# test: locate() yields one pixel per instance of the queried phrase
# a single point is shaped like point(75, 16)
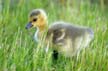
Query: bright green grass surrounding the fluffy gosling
point(18, 52)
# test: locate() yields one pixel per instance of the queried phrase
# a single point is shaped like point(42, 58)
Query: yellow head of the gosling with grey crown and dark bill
point(37, 18)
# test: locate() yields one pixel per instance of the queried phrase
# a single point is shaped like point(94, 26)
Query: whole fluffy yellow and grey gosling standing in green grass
point(66, 38)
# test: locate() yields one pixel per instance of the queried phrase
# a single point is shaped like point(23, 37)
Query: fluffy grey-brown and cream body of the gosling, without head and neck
point(69, 39)
